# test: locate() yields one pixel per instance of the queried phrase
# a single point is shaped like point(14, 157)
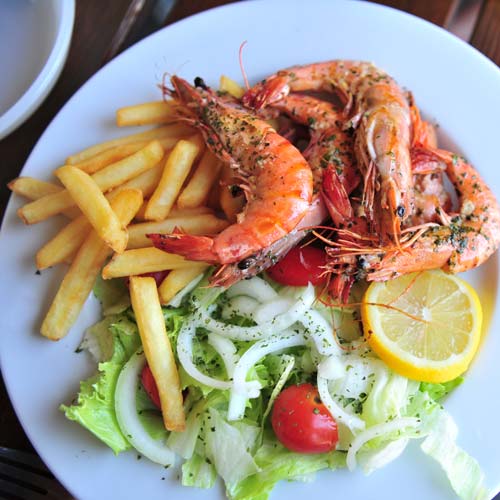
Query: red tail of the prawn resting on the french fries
point(198, 248)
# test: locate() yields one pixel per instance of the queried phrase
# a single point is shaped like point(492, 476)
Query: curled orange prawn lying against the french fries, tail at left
point(274, 175)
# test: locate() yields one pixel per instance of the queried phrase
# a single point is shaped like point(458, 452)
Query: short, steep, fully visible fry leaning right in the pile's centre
point(176, 170)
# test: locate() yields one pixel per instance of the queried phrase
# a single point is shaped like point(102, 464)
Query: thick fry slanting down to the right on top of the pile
point(95, 206)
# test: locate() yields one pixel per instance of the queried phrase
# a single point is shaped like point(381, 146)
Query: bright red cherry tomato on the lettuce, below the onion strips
point(301, 421)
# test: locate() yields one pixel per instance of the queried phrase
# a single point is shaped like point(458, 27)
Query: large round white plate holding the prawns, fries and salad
point(451, 82)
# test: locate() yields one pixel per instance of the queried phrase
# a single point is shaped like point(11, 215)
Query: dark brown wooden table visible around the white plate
point(100, 33)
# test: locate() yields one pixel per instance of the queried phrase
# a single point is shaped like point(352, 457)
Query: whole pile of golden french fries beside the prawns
point(114, 194)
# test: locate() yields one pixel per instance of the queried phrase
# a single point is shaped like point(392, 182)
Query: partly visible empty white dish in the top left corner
point(34, 43)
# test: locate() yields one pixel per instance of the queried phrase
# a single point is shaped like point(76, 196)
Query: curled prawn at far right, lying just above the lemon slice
point(469, 238)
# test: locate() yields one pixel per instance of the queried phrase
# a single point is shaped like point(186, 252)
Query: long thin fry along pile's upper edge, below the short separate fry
point(175, 130)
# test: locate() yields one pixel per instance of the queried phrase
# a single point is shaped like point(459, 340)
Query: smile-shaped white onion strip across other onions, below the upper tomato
point(273, 326)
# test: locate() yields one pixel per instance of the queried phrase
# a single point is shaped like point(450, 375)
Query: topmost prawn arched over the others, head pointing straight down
point(379, 111)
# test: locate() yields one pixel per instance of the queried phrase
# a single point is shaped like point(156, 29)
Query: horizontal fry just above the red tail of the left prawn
point(194, 224)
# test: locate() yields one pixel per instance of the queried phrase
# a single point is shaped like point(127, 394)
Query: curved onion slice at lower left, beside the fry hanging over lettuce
point(128, 420)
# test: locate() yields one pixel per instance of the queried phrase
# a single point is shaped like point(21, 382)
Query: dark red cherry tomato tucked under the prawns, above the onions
point(299, 267)
